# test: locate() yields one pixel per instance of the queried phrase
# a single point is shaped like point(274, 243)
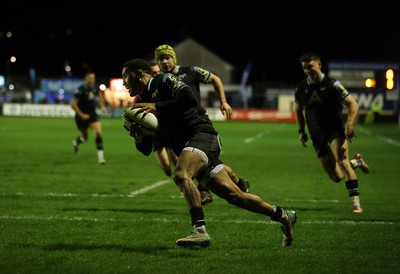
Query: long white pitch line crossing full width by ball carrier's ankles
point(168, 220)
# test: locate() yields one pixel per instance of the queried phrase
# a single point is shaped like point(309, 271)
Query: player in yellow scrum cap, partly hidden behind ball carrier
point(193, 76)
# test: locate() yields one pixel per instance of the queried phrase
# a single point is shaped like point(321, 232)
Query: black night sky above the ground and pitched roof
point(104, 35)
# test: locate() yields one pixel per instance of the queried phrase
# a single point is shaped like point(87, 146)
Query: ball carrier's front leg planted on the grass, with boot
point(189, 163)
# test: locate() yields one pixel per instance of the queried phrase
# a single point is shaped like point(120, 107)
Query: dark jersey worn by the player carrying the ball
point(178, 111)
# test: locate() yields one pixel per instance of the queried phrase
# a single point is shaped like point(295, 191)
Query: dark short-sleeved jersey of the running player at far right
point(322, 103)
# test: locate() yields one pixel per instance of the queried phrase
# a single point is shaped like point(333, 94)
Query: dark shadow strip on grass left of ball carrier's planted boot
point(115, 247)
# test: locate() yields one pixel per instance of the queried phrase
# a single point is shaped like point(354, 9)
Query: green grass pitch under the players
point(65, 213)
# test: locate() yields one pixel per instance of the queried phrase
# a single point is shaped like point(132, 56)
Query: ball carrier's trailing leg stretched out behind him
point(222, 185)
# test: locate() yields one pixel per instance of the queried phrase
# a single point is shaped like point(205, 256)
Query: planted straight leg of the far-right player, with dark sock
point(340, 149)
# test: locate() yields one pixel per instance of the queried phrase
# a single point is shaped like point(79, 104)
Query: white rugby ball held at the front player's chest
point(148, 121)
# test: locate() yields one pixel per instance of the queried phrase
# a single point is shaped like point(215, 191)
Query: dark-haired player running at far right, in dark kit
point(319, 101)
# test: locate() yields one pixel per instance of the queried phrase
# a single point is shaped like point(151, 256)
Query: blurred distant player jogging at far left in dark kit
point(84, 103)
